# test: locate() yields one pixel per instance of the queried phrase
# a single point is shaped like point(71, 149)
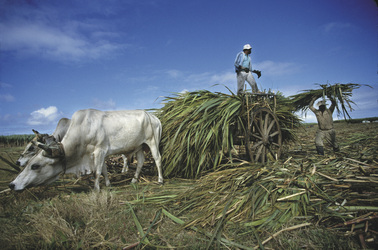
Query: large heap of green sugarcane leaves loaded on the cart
point(199, 129)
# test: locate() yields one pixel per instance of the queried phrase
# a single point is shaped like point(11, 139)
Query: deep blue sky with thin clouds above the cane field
point(58, 57)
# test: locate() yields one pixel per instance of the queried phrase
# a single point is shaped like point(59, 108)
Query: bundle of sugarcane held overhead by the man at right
point(340, 93)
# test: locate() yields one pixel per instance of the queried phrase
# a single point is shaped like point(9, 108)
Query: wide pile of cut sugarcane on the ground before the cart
point(263, 198)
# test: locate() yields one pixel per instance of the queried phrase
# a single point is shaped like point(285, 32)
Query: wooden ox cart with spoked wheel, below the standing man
point(261, 138)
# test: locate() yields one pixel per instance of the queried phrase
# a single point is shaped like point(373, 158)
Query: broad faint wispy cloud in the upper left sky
point(54, 42)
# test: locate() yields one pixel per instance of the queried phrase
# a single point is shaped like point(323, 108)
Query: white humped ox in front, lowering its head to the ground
point(91, 136)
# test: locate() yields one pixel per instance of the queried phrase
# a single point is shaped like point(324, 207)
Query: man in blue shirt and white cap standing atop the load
point(243, 69)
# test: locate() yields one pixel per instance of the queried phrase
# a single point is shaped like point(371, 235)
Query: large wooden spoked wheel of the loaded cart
point(263, 138)
